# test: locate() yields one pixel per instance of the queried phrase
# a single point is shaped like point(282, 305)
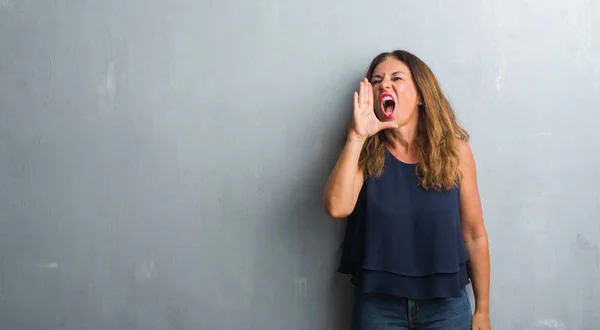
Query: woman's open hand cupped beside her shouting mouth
point(365, 123)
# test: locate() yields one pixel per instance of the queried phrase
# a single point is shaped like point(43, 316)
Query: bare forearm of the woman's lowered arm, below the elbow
point(480, 271)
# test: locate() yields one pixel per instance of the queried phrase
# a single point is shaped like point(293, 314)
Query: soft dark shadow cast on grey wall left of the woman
point(316, 229)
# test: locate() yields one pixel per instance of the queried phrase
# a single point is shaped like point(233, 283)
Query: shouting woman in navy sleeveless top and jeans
point(406, 181)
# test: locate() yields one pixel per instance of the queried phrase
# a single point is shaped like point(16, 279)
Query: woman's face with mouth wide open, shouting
point(395, 95)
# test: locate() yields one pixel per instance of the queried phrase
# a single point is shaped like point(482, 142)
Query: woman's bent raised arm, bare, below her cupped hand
point(345, 181)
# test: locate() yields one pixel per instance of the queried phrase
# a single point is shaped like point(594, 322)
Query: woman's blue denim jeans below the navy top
point(385, 312)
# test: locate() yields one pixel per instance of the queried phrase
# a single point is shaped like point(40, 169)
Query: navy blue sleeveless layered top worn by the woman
point(404, 240)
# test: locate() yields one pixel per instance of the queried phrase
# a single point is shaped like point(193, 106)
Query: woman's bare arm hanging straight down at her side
point(474, 232)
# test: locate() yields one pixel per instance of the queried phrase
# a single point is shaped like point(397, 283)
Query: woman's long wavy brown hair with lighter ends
point(436, 142)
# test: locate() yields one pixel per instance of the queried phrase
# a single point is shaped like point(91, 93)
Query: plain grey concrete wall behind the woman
point(161, 162)
